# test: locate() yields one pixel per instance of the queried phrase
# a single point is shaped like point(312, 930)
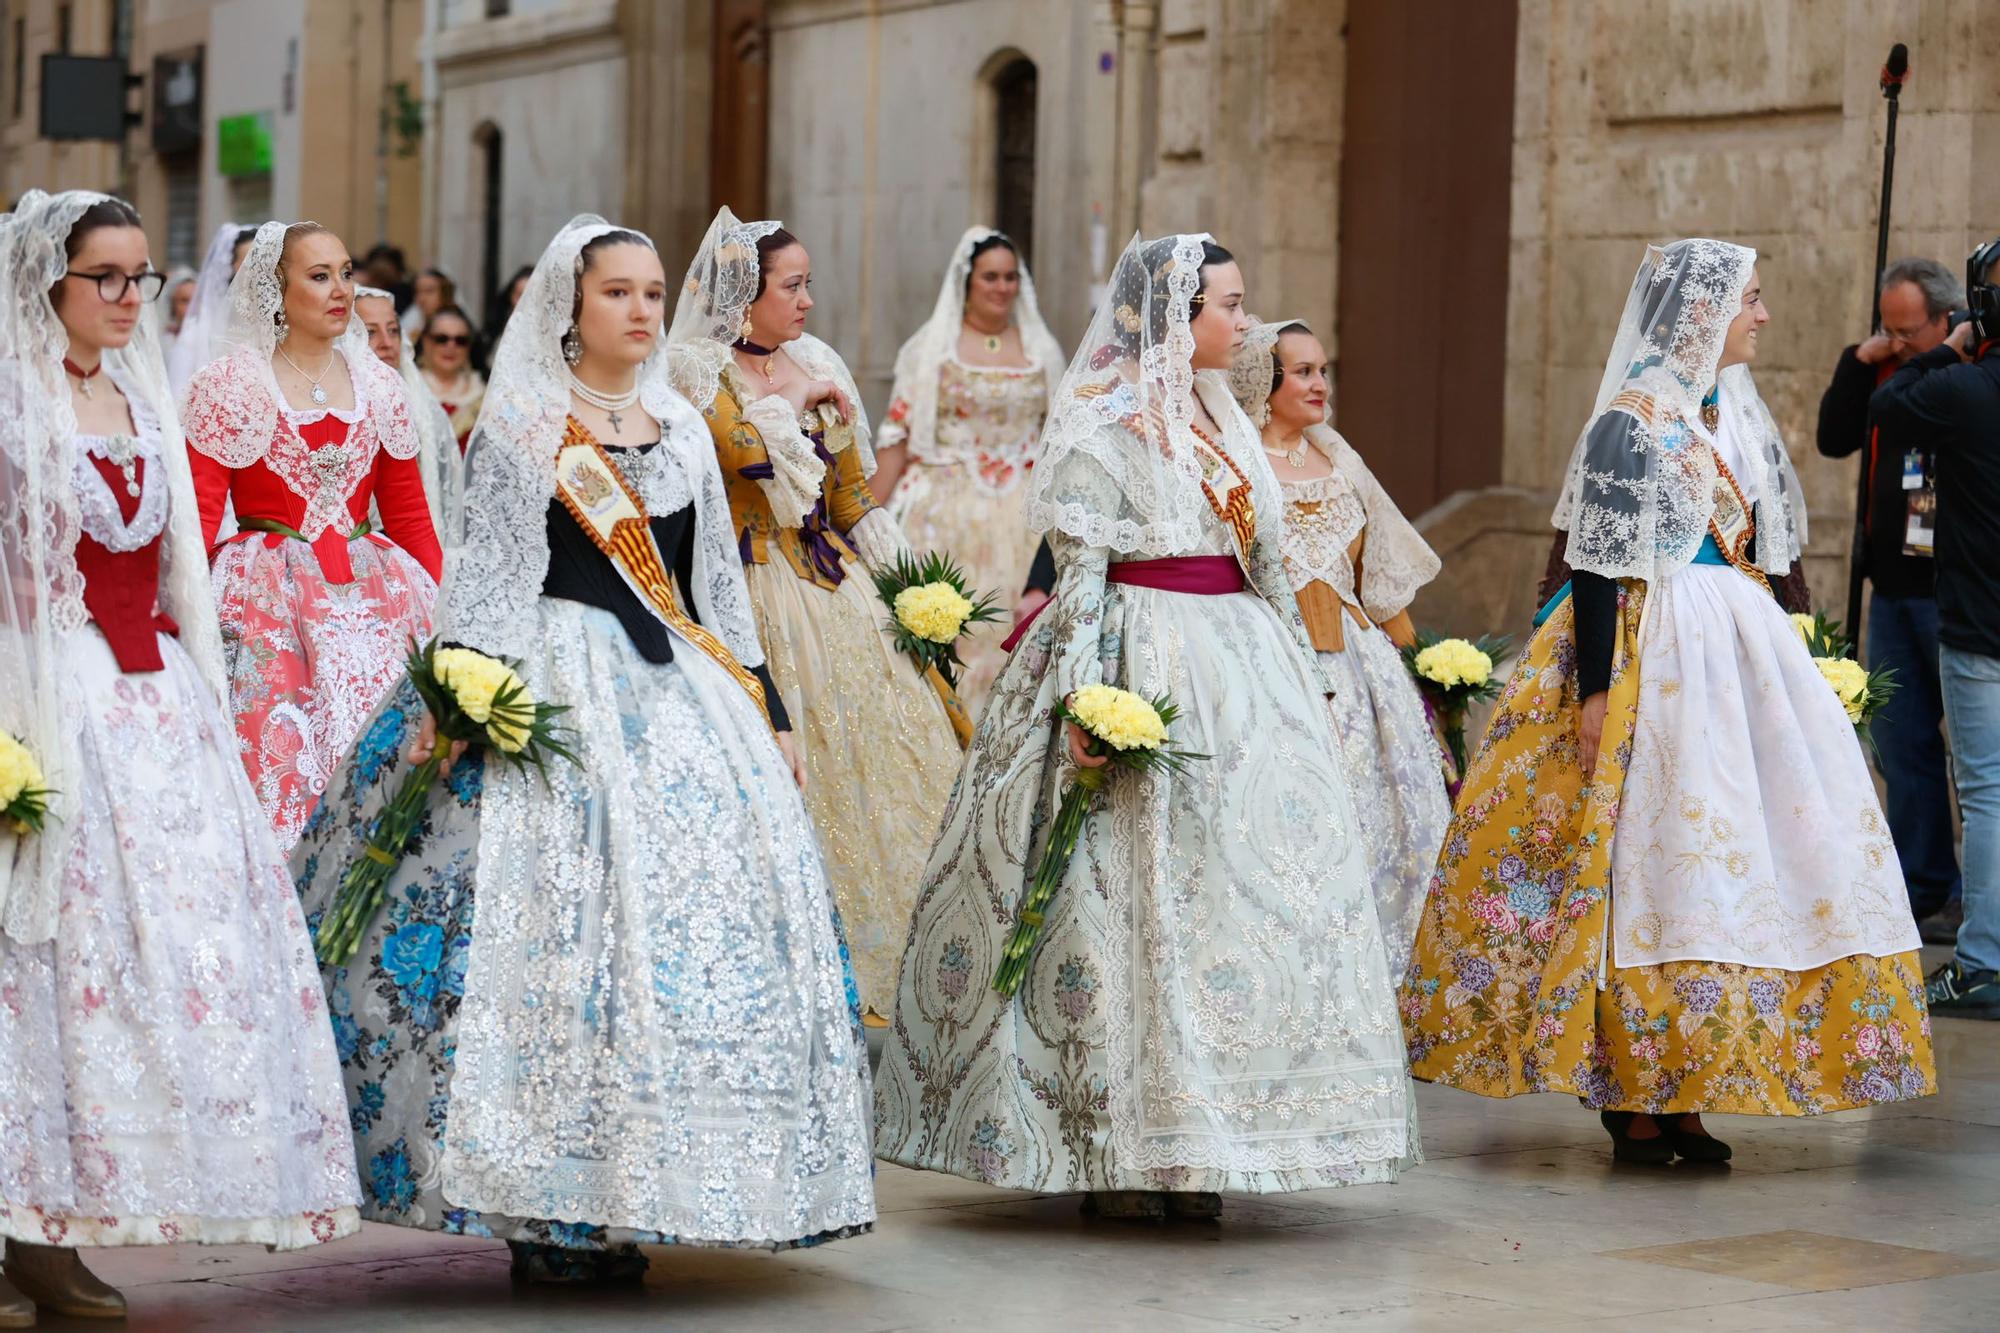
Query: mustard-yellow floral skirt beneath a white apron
point(1511, 988)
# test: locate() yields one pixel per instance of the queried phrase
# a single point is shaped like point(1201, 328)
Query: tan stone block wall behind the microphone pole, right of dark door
point(1755, 121)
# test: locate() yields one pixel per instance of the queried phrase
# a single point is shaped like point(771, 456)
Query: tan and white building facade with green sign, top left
point(245, 111)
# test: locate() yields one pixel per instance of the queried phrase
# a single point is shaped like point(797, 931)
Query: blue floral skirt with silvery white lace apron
point(611, 1008)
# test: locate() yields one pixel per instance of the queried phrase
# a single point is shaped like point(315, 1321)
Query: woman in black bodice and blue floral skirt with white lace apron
point(645, 1032)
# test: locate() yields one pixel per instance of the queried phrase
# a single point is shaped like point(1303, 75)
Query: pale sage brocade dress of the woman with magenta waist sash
point(1211, 1002)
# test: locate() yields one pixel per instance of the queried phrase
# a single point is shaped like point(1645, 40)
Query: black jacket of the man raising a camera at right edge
point(1953, 409)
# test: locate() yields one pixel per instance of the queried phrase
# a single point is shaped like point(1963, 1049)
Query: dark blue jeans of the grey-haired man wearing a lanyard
point(1903, 635)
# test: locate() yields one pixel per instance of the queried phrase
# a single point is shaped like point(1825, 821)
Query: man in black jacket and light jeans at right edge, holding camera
point(1949, 403)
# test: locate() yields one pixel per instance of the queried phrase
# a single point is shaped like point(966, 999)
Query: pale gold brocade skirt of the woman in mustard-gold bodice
point(879, 752)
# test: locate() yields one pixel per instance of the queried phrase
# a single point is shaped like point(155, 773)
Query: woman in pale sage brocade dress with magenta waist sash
point(1209, 1006)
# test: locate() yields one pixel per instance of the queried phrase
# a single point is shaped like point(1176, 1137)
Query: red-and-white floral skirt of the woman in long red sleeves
point(311, 659)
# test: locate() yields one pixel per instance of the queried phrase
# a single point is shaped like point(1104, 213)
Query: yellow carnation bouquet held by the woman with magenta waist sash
point(1133, 734)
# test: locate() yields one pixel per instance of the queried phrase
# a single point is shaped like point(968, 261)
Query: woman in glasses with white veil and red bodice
point(165, 1064)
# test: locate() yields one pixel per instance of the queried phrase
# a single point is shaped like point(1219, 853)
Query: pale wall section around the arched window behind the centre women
point(881, 155)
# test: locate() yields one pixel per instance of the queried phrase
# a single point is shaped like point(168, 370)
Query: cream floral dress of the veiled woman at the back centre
point(963, 493)
